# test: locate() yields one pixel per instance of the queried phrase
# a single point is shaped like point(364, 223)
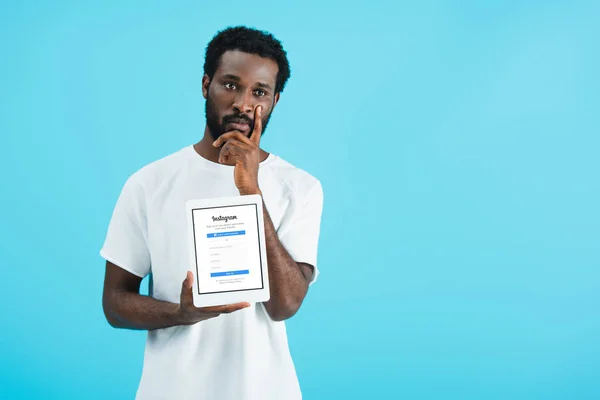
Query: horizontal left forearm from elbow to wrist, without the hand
point(129, 310)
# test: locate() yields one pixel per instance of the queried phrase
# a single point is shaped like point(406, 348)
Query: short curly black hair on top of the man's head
point(248, 40)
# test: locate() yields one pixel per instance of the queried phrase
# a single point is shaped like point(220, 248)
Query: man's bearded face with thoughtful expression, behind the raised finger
point(241, 82)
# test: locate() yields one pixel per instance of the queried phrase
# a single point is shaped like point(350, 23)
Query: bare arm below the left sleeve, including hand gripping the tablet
point(124, 306)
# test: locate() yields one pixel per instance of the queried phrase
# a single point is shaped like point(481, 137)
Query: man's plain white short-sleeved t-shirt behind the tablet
point(243, 355)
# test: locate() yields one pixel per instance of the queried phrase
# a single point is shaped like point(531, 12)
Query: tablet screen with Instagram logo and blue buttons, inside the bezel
point(227, 247)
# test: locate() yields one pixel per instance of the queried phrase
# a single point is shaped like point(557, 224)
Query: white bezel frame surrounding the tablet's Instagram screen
point(243, 295)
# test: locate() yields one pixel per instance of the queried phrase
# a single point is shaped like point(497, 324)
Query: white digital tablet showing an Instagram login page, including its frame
point(228, 250)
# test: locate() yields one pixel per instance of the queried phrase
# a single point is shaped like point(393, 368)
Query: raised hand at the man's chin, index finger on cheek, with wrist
point(244, 153)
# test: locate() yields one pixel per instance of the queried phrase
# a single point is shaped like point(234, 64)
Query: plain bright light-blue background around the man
point(458, 147)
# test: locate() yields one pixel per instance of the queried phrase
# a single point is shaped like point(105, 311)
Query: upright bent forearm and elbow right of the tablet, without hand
point(287, 283)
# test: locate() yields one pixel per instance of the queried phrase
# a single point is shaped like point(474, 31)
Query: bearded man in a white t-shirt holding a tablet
point(235, 351)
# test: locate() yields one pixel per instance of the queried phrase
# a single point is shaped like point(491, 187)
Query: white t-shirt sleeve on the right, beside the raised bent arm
point(299, 234)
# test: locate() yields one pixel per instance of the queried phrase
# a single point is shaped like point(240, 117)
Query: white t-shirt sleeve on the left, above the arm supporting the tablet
point(126, 242)
